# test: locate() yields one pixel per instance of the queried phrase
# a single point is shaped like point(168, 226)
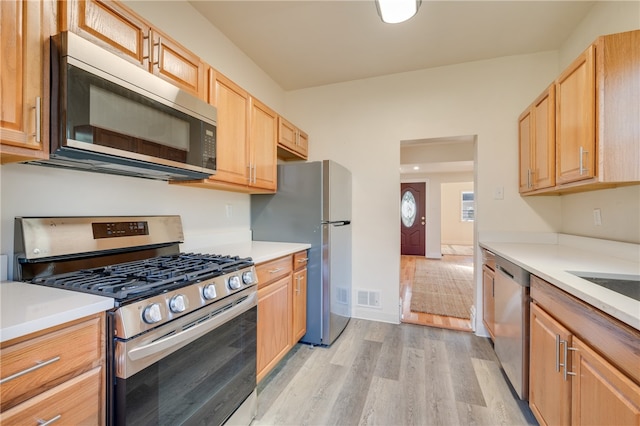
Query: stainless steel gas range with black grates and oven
point(182, 336)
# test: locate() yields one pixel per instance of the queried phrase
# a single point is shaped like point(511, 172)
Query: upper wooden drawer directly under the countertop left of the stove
point(38, 364)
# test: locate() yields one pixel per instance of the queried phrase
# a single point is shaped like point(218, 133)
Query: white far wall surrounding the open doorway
point(360, 124)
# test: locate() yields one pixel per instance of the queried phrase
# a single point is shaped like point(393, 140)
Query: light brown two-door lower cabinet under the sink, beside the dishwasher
point(585, 365)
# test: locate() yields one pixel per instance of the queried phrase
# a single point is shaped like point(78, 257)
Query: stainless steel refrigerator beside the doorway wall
point(313, 205)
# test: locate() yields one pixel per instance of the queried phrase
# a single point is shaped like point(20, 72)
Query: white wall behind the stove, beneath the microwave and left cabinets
point(43, 191)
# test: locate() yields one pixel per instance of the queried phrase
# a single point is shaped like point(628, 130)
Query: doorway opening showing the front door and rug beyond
point(438, 282)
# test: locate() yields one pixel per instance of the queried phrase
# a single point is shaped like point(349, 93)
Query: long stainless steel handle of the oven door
point(176, 341)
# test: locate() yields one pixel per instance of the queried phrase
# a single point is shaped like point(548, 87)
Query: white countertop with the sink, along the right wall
point(552, 262)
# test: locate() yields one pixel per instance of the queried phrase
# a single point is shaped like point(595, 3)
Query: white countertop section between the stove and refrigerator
point(259, 251)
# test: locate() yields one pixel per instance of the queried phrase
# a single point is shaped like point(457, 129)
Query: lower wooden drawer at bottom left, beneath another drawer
point(75, 402)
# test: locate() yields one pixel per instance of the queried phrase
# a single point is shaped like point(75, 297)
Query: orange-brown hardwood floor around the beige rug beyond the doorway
point(407, 269)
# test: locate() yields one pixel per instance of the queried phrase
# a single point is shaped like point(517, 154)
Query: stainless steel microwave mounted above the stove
point(110, 116)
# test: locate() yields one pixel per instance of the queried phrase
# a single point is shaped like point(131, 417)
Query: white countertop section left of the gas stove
point(27, 308)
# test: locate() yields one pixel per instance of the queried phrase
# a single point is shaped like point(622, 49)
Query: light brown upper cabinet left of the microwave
point(25, 28)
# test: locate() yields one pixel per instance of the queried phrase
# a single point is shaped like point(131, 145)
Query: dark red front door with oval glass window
point(412, 218)
